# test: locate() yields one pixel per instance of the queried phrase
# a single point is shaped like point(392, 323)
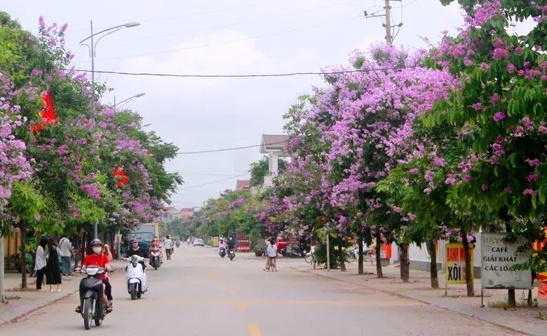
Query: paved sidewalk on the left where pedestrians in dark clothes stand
point(22, 303)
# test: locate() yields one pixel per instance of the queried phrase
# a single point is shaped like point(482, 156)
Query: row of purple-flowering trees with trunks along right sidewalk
point(413, 147)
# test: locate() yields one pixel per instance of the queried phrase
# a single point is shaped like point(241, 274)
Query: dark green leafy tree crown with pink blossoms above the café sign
point(500, 108)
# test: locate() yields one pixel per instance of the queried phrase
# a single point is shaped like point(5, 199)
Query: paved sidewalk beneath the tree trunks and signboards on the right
point(525, 320)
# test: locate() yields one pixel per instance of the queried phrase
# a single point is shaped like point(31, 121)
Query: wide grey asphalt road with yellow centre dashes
point(198, 293)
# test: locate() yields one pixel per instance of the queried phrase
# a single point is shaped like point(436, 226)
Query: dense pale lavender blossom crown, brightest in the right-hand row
point(370, 115)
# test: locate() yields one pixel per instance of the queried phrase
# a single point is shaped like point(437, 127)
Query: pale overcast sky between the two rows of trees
point(224, 37)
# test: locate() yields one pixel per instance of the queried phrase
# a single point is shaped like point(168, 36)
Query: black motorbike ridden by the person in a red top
point(91, 296)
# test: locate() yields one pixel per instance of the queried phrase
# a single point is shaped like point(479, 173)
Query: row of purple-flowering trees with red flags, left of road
point(67, 160)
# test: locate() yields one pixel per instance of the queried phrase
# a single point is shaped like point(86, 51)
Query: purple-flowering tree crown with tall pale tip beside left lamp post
point(89, 143)
